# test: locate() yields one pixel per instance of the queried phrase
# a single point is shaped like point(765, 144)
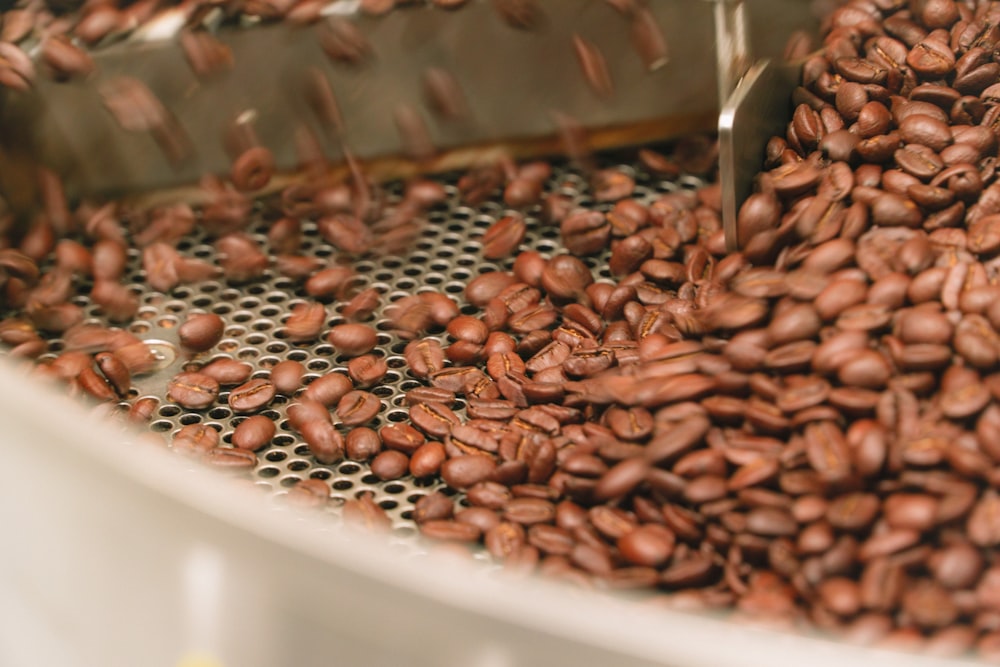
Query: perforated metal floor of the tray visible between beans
point(445, 257)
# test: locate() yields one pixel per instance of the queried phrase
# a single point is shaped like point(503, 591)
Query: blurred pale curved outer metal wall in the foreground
point(118, 554)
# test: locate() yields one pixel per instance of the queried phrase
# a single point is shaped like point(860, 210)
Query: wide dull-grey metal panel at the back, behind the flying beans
point(626, 77)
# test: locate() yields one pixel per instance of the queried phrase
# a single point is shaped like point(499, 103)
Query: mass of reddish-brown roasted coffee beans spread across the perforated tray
point(806, 432)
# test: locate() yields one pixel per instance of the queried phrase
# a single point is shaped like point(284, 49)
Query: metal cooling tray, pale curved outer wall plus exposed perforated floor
point(120, 552)
